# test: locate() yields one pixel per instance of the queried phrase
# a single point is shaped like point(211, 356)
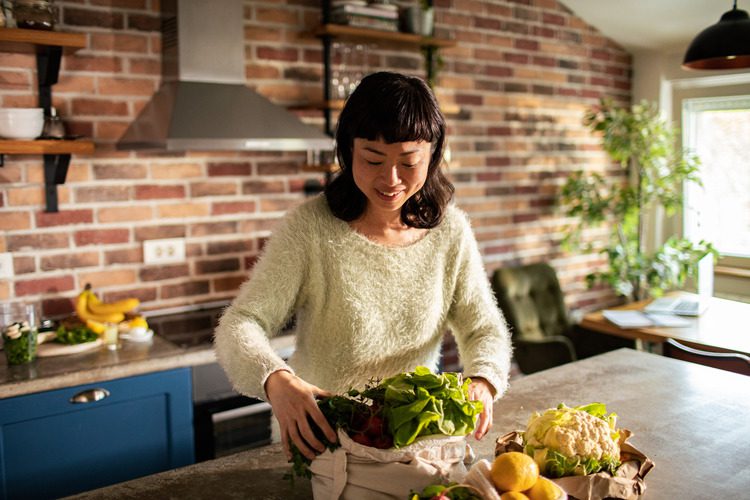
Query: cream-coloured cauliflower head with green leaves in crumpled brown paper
point(573, 441)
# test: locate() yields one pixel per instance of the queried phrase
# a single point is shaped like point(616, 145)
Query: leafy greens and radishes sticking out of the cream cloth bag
point(396, 411)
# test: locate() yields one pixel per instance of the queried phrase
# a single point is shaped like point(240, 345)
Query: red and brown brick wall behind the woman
point(521, 76)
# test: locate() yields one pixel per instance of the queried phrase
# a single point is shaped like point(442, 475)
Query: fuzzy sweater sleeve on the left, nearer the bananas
point(263, 306)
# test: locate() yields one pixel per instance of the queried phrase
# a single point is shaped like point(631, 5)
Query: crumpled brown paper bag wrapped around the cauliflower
point(628, 483)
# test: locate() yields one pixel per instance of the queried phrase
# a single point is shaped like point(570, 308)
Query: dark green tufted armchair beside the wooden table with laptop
point(543, 336)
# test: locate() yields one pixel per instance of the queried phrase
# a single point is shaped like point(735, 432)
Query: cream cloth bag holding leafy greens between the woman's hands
point(358, 472)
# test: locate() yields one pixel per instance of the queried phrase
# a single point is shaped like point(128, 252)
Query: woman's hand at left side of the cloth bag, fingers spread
point(293, 401)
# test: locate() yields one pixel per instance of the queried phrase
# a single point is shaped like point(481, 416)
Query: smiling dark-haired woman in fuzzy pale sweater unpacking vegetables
point(374, 271)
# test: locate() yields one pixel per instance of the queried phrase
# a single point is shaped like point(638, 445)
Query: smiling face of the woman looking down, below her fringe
point(389, 174)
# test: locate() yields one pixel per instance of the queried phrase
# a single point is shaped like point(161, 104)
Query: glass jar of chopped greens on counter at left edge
point(19, 332)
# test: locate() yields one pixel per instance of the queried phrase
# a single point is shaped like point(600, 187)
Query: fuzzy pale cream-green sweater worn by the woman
point(363, 310)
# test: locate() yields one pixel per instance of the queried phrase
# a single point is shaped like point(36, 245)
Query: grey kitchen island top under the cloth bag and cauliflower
point(690, 420)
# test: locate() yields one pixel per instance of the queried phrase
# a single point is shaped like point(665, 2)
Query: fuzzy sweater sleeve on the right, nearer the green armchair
point(478, 326)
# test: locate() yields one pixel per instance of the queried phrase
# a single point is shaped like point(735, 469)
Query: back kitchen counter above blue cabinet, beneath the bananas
point(101, 364)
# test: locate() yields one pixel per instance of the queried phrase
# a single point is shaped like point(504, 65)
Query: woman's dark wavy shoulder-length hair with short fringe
point(393, 108)
